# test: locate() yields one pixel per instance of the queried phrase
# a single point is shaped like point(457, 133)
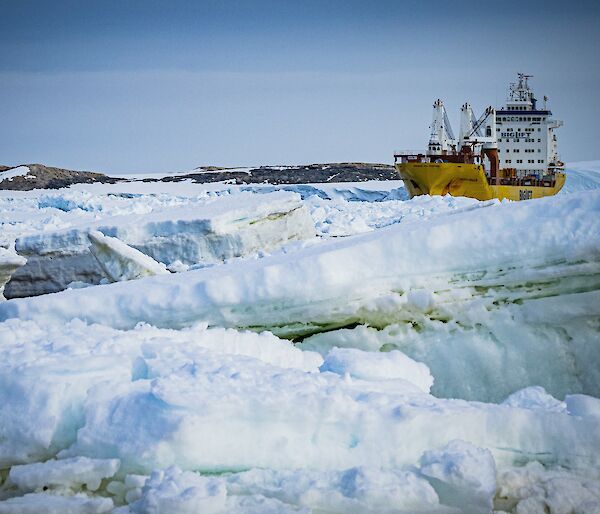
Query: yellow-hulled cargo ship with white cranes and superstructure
point(509, 153)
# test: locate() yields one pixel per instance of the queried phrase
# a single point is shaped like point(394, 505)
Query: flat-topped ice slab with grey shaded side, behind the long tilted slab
point(218, 229)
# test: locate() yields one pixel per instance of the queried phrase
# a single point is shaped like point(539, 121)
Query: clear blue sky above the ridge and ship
point(134, 86)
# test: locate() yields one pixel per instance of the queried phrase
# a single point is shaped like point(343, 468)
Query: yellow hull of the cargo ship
point(432, 178)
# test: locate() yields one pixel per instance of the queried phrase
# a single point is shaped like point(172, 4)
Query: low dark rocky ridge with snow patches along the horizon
point(48, 177)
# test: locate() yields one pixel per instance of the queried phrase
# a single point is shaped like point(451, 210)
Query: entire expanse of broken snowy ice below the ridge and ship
point(326, 348)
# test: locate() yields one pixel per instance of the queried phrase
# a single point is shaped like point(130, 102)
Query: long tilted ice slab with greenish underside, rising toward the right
point(503, 287)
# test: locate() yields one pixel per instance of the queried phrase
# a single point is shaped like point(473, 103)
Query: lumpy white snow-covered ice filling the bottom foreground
point(354, 432)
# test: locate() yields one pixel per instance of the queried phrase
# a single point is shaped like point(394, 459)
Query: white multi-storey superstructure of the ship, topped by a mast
point(526, 138)
